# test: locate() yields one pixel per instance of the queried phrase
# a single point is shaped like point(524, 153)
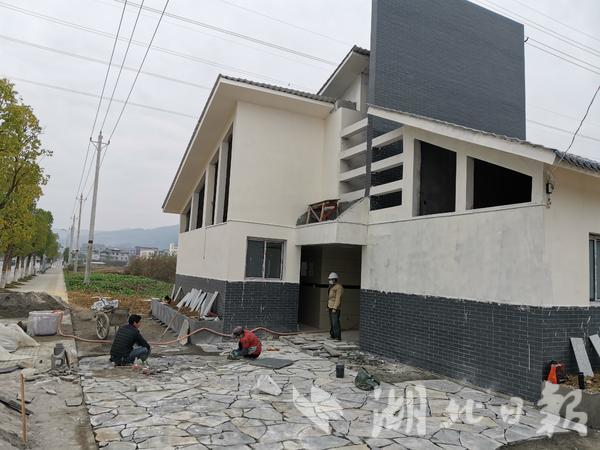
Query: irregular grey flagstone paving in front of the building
point(195, 403)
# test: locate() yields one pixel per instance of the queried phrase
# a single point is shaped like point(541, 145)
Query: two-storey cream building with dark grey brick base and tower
point(463, 248)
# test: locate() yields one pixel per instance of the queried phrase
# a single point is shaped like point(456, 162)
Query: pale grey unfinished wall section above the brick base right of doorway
point(496, 255)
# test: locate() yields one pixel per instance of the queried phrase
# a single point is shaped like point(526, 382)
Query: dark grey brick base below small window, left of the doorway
point(250, 303)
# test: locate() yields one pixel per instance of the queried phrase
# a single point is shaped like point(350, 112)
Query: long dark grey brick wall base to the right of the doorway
point(498, 346)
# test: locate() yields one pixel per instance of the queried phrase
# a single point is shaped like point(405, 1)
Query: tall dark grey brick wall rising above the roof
point(450, 60)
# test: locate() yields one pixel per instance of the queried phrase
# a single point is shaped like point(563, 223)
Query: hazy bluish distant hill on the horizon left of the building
point(154, 237)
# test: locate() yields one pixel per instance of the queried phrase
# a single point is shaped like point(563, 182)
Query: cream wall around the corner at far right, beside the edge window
point(572, 217)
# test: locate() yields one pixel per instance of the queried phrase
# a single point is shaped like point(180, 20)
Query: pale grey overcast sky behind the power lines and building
point(148, 144)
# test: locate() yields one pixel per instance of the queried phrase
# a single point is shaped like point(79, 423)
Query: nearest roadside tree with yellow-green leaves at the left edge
point(21, 177)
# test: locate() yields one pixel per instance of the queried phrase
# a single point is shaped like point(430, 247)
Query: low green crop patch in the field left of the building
point(117, 285)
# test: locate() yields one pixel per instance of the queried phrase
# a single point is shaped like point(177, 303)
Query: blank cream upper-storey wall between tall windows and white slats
point(274, 171)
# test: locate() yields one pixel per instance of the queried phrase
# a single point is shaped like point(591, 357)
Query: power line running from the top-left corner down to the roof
point(143, 44)
